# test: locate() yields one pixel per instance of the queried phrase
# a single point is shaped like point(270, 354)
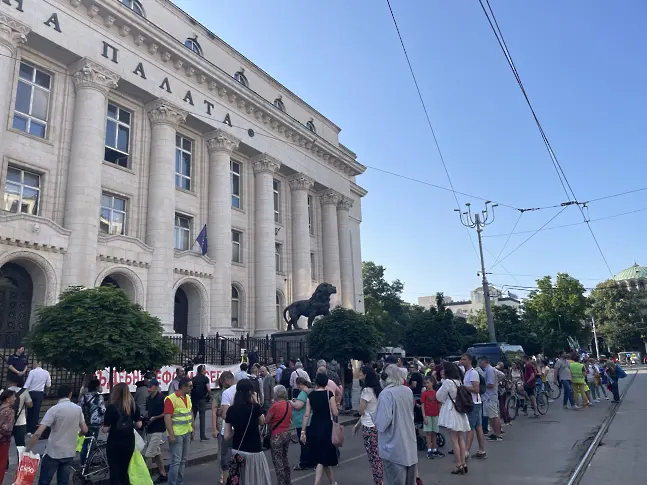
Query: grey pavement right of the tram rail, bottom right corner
point(618, 458)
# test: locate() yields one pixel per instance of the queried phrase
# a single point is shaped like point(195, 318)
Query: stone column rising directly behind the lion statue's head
point(330, 240)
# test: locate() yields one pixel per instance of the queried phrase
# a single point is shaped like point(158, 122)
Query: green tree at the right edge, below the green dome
point(620, 315)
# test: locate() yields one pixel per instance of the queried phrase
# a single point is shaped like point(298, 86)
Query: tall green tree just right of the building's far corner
point(383, 303)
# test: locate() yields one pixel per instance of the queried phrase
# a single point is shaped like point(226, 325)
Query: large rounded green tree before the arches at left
point(98, 328)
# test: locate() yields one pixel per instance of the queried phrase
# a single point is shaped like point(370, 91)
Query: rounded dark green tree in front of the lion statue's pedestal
point(344, 335)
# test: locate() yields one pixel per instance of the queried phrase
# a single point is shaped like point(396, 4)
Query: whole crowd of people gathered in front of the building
point(402, 407)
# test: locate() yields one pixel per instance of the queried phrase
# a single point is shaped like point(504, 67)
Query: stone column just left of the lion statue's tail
point(264, 239)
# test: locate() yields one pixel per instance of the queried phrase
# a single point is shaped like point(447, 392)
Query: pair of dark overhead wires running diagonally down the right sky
point(504, 47)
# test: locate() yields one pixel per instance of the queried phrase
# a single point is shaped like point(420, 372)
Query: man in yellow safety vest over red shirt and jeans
point(178, 417)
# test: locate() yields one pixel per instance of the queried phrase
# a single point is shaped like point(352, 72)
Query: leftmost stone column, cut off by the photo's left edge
point(12, 34)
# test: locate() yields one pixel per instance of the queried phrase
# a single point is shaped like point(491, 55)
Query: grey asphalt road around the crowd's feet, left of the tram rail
point(541, 451)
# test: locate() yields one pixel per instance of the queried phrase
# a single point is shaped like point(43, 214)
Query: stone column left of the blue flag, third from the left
point(165, 118)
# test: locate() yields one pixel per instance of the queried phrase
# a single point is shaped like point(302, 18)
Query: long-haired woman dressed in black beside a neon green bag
point(121, 418)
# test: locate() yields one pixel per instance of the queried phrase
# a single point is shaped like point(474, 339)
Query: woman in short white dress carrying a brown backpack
point(457, 423)
